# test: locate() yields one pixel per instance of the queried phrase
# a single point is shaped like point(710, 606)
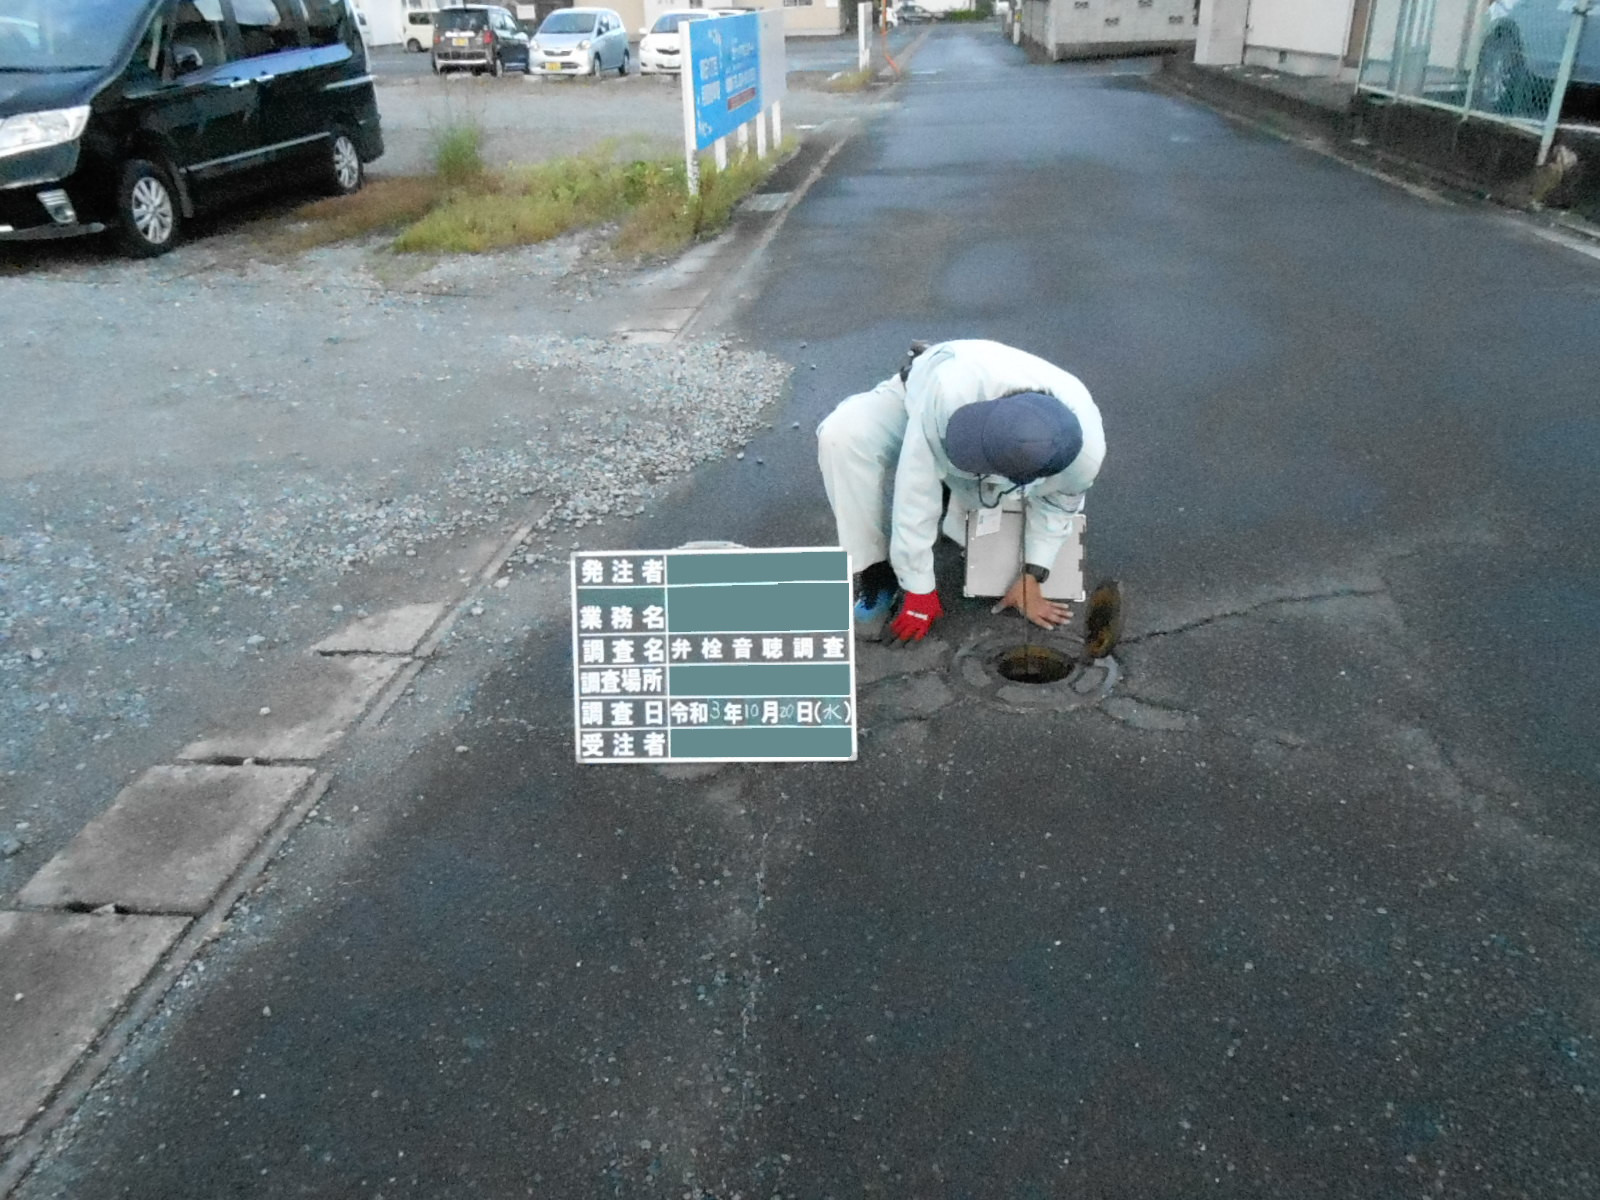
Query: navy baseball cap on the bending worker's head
point(1023, 438)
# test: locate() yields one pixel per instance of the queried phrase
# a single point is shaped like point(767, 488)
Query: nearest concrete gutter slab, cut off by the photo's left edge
point(63, 978)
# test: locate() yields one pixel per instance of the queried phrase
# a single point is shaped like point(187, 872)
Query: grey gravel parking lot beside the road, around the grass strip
point(215, 458)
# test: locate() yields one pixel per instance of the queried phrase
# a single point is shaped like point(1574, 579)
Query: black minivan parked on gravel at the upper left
point(134, 114)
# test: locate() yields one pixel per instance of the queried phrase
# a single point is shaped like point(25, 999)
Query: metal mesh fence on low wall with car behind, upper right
point(1514, 62)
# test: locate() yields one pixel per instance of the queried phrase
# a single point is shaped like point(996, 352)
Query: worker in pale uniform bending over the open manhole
point(985, 420)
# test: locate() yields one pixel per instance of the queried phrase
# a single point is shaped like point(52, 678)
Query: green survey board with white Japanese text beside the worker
point(727, 655)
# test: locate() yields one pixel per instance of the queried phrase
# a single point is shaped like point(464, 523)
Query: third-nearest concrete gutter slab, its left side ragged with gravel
point(321, 703)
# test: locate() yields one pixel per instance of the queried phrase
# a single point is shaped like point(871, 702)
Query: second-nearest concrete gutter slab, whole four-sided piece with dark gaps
point(170, 841)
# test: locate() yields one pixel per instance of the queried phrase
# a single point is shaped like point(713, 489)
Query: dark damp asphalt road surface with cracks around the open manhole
point(1310, 910)
